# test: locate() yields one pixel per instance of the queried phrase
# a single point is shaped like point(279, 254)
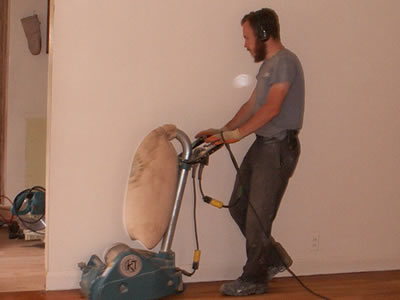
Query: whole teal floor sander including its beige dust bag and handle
point(137, 274)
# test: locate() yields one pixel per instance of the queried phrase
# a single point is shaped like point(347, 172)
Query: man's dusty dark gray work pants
point(264, 175)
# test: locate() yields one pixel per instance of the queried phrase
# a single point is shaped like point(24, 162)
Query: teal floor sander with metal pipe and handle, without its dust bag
point(136, 274)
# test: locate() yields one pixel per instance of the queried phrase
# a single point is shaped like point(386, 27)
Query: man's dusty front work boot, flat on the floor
point(239, 287)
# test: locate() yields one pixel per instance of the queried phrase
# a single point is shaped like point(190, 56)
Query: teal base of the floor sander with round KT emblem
point(132, 274)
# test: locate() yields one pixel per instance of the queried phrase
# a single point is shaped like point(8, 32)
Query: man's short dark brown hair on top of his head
point(264, 22)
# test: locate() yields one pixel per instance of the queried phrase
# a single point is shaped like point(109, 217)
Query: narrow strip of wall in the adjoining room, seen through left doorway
point(26, 94)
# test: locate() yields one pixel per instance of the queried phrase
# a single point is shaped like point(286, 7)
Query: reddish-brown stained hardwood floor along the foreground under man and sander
point(368, 286)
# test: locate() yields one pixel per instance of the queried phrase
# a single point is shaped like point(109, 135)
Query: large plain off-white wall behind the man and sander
point(122, 69)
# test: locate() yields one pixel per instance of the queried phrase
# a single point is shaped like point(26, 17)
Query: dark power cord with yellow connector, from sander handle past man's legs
point(220, 205)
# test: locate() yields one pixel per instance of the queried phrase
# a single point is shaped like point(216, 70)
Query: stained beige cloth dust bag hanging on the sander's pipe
point(152, 187)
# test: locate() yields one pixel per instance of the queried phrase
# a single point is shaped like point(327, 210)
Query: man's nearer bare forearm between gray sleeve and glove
point(268, 111)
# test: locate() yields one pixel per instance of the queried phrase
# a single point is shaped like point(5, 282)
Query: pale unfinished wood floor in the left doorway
point(21, 264)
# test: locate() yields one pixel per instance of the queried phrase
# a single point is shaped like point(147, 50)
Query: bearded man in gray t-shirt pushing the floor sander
point(274, 112)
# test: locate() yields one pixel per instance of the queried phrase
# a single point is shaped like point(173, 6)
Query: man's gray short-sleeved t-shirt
point(284, 66)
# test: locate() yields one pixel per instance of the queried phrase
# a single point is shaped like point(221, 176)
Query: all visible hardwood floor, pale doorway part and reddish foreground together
point(22, 269)
